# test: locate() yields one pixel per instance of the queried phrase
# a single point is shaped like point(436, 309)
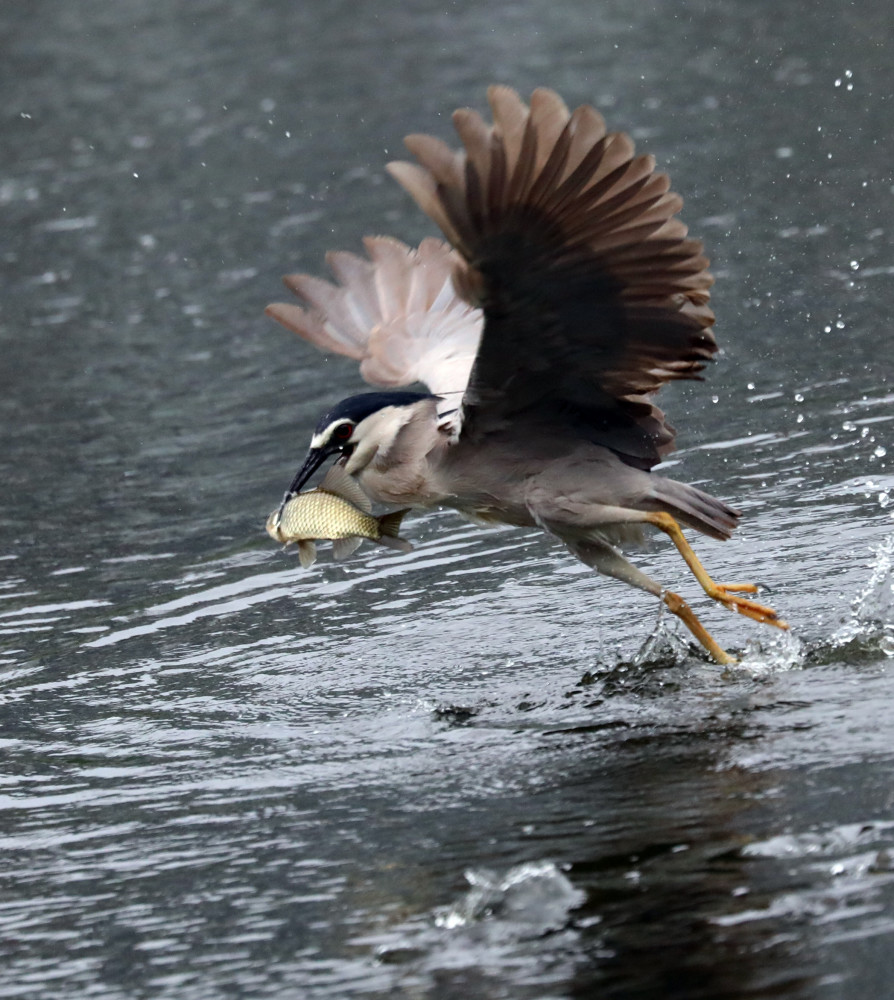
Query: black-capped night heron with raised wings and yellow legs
point(564, 295)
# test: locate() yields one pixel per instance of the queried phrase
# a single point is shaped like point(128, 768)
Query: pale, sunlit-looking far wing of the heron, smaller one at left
point(397, 313)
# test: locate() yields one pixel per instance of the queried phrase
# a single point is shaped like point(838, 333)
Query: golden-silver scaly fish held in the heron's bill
point(337, 510)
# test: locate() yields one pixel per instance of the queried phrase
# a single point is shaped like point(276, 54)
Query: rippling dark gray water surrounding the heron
point(457, 773)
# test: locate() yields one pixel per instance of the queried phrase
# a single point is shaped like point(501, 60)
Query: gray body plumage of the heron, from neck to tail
point(574, 489)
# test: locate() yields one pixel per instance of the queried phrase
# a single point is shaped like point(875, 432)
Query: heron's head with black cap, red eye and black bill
point(357, 428)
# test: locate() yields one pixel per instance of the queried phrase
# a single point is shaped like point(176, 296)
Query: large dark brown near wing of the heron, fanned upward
point(593, 297)
